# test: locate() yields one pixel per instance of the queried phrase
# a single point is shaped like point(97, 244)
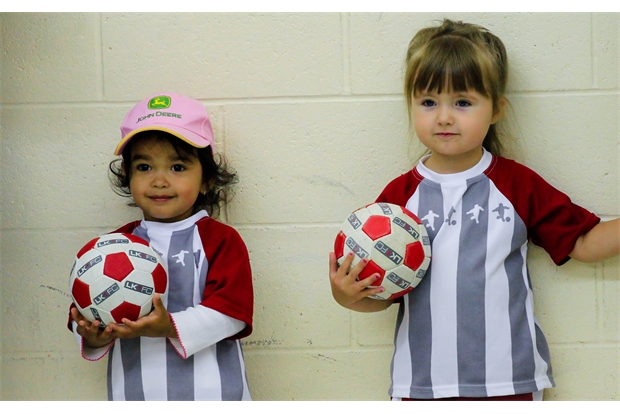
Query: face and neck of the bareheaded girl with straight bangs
point(453, 126)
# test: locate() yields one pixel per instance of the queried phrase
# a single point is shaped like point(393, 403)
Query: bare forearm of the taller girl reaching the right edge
point(600, 243)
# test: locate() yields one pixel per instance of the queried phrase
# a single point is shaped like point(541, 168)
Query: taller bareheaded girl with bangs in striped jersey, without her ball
point(468, 330)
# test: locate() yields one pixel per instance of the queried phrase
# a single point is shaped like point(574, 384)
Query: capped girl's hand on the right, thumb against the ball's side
point(156, 324)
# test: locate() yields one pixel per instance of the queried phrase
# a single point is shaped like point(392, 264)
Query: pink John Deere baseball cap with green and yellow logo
point(183, 117)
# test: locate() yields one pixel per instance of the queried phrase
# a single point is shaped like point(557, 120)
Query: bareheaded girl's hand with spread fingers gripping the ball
point(350, 292)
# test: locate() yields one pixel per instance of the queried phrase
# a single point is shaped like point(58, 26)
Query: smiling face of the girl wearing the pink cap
point(163, 185)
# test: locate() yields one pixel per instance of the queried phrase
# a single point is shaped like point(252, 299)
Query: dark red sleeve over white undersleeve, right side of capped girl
point(228, 287)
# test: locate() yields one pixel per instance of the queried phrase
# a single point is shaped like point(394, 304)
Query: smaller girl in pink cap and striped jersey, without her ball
point(187, 348)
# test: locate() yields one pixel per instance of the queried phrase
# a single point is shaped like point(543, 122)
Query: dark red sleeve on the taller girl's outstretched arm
point(553, 221)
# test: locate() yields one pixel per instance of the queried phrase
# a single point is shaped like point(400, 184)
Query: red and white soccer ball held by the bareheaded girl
point(394, 241)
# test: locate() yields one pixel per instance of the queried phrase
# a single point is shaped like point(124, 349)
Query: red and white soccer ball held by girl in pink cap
point(115, 276)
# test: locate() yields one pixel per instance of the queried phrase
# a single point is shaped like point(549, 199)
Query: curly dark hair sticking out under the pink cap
point(215, 172)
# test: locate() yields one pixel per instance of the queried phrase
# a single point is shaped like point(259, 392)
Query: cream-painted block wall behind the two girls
point(308, 108)
